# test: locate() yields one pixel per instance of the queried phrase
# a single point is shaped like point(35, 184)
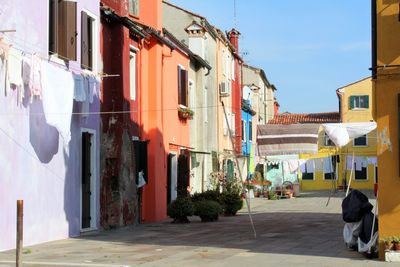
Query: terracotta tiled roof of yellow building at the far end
point(290, 118)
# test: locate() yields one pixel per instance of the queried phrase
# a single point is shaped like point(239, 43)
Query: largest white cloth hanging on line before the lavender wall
point(57, 96)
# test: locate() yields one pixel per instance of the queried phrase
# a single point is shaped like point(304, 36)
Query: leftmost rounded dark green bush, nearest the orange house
point(180, 209)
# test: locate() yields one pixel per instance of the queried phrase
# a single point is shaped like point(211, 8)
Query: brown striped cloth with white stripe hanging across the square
point(274, 139)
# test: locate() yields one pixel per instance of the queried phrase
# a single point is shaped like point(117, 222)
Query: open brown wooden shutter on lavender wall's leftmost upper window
point(67, 29)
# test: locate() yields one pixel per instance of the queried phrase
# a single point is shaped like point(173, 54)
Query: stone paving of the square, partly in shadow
point(290, 232)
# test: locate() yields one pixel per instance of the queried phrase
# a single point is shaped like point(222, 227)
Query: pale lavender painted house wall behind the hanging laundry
point(34, 164)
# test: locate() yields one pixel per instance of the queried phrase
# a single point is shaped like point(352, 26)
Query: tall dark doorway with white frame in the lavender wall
point(88, 185)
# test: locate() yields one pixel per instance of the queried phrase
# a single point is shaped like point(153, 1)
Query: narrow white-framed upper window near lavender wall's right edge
point(87, 40)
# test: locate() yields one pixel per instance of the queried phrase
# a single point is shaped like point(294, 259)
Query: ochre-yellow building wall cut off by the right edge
point(386, 78)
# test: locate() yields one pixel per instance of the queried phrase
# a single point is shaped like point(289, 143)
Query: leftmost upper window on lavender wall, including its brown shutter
point(62, 29)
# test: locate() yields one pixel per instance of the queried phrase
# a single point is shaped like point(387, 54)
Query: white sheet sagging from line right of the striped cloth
point(342, 133)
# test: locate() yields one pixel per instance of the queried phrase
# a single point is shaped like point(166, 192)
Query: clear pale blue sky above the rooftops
point(307, 48)
